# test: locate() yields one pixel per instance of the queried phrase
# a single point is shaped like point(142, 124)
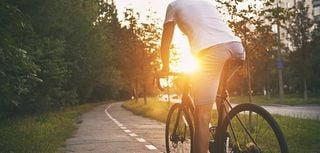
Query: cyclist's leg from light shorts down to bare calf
point(205, 86)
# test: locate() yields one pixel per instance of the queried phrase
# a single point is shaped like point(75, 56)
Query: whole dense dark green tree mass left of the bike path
point(57, 53)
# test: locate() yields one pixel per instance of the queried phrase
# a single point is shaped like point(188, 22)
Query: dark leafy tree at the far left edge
point(18, 70)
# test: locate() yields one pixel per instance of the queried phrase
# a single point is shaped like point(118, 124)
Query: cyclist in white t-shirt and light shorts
point(212, 42)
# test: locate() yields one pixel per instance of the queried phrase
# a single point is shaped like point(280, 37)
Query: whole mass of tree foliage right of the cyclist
point(253, 22)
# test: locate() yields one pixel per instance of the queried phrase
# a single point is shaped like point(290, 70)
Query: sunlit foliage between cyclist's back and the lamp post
point(252, 22)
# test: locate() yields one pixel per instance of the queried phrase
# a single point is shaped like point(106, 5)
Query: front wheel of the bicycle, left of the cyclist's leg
point(182, 136)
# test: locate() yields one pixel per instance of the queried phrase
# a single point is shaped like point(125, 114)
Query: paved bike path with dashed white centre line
point(109, 128)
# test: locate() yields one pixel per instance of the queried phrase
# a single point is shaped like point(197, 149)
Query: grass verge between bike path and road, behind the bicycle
point(302, 135)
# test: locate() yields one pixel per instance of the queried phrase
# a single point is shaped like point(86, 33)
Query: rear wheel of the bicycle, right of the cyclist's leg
point(268, 142)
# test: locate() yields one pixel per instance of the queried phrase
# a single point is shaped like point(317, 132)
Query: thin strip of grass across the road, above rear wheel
point(288, 100)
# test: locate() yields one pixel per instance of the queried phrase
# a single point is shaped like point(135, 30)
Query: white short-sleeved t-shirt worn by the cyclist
point(201, 22)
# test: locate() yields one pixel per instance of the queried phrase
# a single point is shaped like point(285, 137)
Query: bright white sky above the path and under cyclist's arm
point(187, 62)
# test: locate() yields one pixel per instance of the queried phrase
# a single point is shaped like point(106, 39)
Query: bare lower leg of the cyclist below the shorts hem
point(201, 136)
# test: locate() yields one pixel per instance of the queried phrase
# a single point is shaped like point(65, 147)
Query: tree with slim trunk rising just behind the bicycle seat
point(252, 22)
